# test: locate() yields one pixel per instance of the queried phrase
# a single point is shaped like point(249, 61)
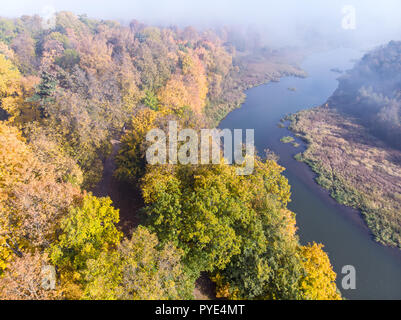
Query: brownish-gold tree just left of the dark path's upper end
point(81, 131)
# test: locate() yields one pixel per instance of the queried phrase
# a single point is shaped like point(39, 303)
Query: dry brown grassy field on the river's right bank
point(358, 169)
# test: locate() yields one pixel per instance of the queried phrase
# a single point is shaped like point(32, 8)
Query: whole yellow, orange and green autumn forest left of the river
point(65, 93)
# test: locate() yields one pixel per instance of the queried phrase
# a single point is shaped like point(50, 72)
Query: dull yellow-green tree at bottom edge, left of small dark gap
point(138, 270)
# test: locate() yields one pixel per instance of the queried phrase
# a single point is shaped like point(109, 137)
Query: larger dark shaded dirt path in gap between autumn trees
point(124, 197)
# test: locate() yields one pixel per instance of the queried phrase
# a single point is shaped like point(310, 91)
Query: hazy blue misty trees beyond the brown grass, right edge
point(371, 91)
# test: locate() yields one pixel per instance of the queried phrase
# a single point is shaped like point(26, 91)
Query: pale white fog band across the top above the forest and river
point(280, 22)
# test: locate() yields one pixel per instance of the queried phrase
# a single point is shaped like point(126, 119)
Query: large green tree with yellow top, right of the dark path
point(192, 214)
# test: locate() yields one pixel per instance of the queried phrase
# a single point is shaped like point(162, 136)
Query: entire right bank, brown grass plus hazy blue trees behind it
point(353, 141)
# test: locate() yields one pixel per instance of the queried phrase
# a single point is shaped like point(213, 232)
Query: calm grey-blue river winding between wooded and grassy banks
point(319, 218)
